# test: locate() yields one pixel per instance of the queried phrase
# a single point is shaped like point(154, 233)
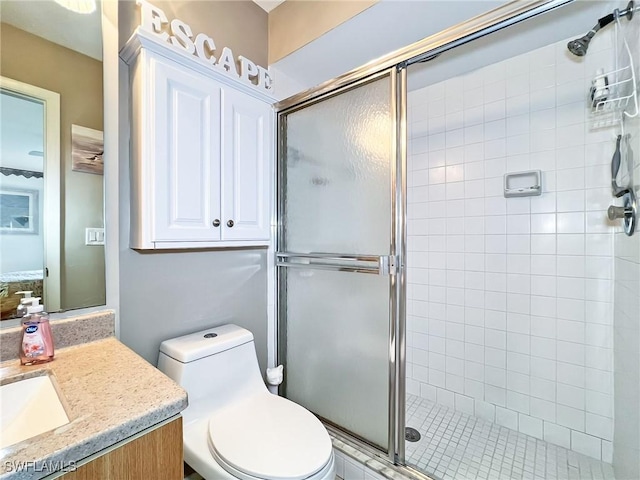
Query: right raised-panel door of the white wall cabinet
point(246, 167)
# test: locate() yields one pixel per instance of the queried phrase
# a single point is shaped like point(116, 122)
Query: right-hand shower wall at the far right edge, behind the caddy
point(626, 440)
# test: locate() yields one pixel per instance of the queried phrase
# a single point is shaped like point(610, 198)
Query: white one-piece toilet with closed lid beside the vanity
point(234, 428)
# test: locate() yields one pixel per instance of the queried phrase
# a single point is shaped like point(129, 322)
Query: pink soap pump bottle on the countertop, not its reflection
point(37, 340)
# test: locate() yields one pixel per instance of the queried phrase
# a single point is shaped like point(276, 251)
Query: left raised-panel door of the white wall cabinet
point(187, 154)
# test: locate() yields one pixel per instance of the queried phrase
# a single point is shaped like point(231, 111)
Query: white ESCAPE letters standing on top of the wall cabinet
point(179, 34)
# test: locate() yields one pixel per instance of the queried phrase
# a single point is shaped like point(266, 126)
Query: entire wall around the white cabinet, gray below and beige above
point(167, 294)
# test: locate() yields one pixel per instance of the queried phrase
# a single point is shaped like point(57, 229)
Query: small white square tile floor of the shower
point(457, 446)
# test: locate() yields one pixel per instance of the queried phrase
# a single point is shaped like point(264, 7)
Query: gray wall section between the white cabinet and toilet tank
point(163, 295)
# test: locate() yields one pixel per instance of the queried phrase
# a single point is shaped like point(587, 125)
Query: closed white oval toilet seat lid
point(269, 437)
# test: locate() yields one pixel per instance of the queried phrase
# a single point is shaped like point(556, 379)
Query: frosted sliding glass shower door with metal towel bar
point(336, 256)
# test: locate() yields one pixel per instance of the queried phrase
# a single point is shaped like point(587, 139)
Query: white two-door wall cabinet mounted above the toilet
point(202, 154)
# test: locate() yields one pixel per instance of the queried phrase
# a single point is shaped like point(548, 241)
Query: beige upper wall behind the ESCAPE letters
point(240, 25)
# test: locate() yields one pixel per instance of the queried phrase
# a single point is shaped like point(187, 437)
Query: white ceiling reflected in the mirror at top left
point(47, 19)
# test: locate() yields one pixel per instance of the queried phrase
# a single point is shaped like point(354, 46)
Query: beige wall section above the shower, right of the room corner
point(293, 24)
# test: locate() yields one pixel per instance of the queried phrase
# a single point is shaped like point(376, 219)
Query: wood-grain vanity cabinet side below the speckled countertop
point(156, 454)
